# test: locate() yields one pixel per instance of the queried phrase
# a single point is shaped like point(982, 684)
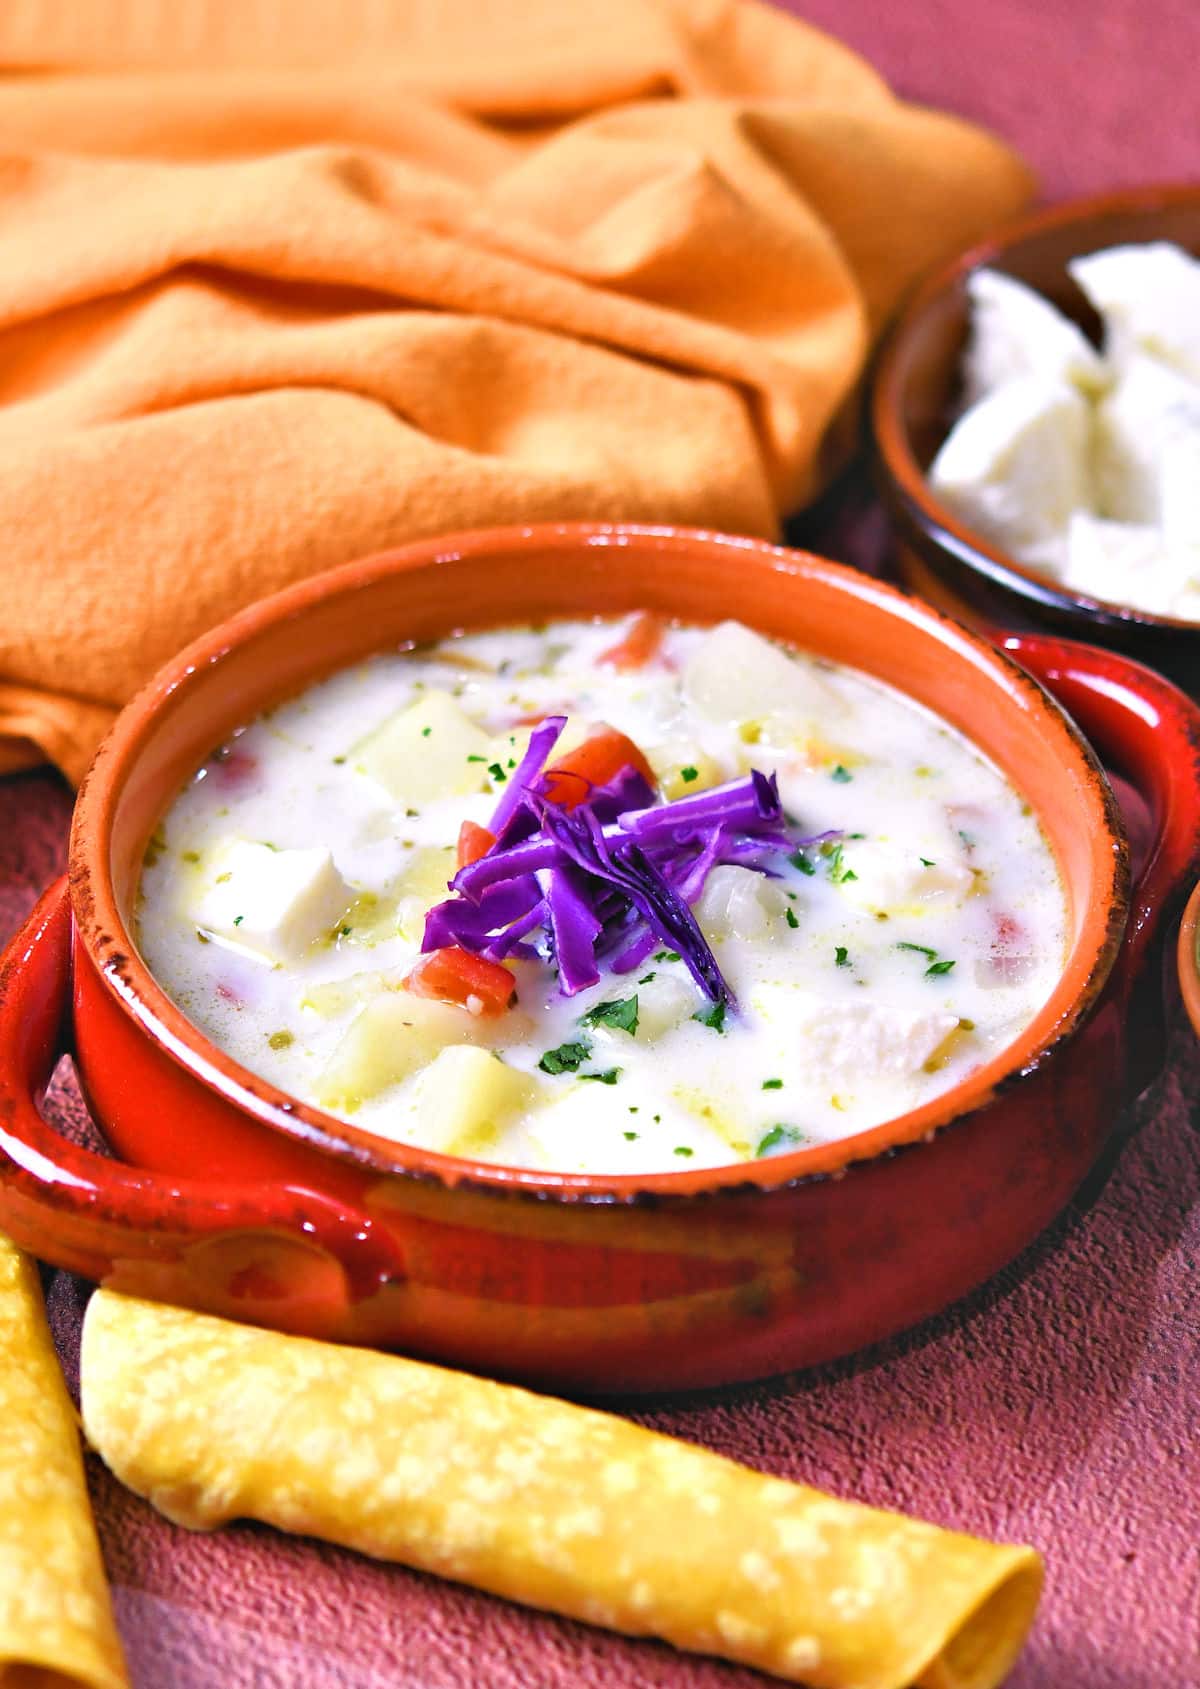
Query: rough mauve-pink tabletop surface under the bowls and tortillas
point(1057, 1406)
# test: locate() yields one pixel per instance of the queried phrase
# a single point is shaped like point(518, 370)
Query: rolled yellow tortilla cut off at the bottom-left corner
point(57, 1622)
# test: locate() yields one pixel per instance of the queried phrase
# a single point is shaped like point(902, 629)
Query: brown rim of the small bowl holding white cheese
point(893, 450)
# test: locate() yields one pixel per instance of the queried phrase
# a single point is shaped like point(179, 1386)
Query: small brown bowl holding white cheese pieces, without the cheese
point(914, 398)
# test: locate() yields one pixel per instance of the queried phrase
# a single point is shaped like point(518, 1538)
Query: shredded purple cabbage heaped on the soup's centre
point(609, 881)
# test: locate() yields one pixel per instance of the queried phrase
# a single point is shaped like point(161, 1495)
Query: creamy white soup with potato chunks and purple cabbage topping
point(822, 910)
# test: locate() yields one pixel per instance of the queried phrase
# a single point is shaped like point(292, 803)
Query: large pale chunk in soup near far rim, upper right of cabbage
point(736, 676)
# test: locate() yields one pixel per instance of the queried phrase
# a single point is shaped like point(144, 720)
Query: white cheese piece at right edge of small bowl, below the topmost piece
point(1154, 411)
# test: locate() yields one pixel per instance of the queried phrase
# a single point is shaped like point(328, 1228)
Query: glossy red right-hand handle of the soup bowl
point(1148, 732)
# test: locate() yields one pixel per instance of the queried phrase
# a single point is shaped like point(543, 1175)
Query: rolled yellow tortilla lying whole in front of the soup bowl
point(548, 1504)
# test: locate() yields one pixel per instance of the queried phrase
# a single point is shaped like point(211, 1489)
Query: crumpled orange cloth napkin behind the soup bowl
point(292, 281)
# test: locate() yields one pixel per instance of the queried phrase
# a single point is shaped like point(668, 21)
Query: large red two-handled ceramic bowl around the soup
point(236, 1198)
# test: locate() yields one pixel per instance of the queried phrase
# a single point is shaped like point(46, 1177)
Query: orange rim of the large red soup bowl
point(114, 950)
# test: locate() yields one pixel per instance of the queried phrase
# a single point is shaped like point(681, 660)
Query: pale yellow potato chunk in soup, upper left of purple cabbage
point(425, 752)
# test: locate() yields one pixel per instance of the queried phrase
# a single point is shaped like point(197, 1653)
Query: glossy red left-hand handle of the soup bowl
point(259, 1252)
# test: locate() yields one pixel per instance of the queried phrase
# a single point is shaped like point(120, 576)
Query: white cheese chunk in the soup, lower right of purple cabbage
point(853, 1043)
